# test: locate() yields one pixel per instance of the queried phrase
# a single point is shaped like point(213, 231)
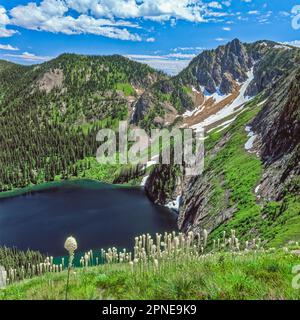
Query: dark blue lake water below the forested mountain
point(98, 215)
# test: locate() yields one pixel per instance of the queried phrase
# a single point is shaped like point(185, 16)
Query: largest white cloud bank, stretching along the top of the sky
point(108, 18)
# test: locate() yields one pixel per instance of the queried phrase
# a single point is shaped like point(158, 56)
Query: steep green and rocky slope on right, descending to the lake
point(276, 146)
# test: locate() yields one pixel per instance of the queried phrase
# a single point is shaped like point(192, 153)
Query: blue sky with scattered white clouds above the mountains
point(164, 33)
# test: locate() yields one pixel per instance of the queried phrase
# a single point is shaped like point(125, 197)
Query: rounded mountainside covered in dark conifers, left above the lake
point(50, 113)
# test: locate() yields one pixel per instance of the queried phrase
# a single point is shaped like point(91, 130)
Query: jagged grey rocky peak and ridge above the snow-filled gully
point(220, 71)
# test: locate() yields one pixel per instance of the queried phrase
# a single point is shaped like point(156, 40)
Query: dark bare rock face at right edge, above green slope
point(278, 128)
